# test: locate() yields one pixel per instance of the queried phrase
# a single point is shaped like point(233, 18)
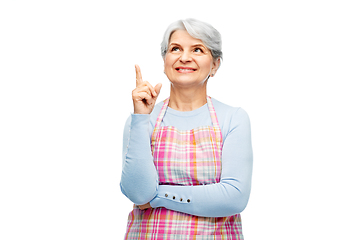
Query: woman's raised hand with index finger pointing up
point(144, 95)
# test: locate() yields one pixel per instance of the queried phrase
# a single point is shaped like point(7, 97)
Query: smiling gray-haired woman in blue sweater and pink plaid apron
point(187, 161)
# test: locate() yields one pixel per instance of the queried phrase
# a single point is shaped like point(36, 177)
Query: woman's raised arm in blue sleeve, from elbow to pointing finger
point(139, 178)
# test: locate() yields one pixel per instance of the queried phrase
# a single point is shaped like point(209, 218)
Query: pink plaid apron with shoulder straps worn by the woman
point(184, 157)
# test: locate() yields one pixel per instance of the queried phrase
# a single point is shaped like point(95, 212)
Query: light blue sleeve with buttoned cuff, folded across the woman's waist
point(231, 194)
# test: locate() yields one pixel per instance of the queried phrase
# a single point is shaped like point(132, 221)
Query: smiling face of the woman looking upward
point(188, 62)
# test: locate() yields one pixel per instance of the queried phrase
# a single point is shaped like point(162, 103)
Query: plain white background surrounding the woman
point(67, 72)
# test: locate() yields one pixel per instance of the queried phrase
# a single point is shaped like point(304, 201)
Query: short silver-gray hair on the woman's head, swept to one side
point(197, 29)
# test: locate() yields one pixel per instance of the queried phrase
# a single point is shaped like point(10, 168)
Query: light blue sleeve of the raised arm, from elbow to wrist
point(139, 178)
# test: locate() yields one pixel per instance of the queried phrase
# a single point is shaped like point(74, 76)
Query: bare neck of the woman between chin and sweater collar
point(187, 99)
